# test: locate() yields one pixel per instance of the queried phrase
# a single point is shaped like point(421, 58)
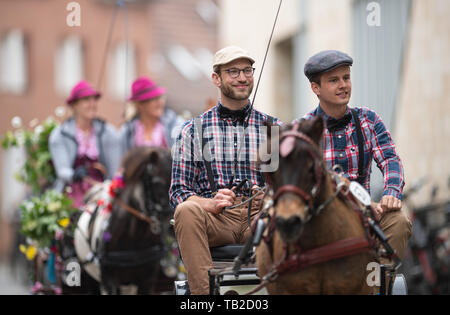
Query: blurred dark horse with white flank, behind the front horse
point(124, 235)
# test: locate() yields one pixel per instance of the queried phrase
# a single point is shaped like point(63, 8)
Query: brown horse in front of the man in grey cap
point(315, 242)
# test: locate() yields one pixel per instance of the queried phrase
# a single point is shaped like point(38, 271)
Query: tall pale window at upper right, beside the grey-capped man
point(378, 54)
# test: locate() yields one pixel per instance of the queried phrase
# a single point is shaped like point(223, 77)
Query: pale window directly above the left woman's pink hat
point(68, 65)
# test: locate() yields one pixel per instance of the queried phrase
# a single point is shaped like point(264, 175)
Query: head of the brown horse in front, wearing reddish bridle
point(297, 182)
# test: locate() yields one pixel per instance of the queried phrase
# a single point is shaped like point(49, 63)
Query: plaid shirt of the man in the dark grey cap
point(341, 147)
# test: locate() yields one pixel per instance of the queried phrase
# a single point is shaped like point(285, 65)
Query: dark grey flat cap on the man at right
point(326, 61)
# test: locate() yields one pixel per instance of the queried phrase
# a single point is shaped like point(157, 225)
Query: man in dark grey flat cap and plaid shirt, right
point(355, 136)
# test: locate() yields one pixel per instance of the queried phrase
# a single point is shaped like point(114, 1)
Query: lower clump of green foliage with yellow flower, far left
point(42, 216)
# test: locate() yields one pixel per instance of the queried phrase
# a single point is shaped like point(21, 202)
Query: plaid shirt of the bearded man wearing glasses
point(223, 137)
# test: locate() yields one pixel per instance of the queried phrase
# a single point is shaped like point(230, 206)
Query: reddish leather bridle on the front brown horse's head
point(287, 144)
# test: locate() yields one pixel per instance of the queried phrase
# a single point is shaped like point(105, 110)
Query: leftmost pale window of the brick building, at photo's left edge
point(13, 63)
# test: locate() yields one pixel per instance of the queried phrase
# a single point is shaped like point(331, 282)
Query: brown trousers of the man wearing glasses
point(197, 230)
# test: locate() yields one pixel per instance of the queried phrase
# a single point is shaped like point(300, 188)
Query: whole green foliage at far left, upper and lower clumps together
point(47, 210)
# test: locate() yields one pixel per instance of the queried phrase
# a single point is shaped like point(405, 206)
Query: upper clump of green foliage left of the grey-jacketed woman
point(38, 171)
